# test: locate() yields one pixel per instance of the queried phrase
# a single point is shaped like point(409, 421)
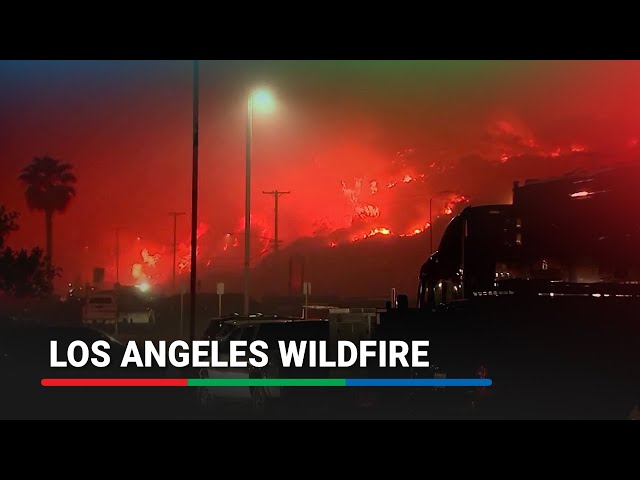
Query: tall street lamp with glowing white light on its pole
point(263, 101)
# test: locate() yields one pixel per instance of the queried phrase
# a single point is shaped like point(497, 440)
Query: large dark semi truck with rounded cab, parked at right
point(558, 235)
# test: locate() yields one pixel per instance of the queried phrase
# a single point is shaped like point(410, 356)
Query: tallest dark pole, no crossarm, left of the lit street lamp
point(194, 202)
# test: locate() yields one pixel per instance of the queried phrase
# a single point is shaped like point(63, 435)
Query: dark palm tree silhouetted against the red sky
point(49, 188)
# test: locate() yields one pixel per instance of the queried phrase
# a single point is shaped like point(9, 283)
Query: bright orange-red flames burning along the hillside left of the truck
point(366, 216)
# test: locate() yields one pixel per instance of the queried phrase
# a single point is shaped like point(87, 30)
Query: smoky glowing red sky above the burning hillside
point(467, 128)
